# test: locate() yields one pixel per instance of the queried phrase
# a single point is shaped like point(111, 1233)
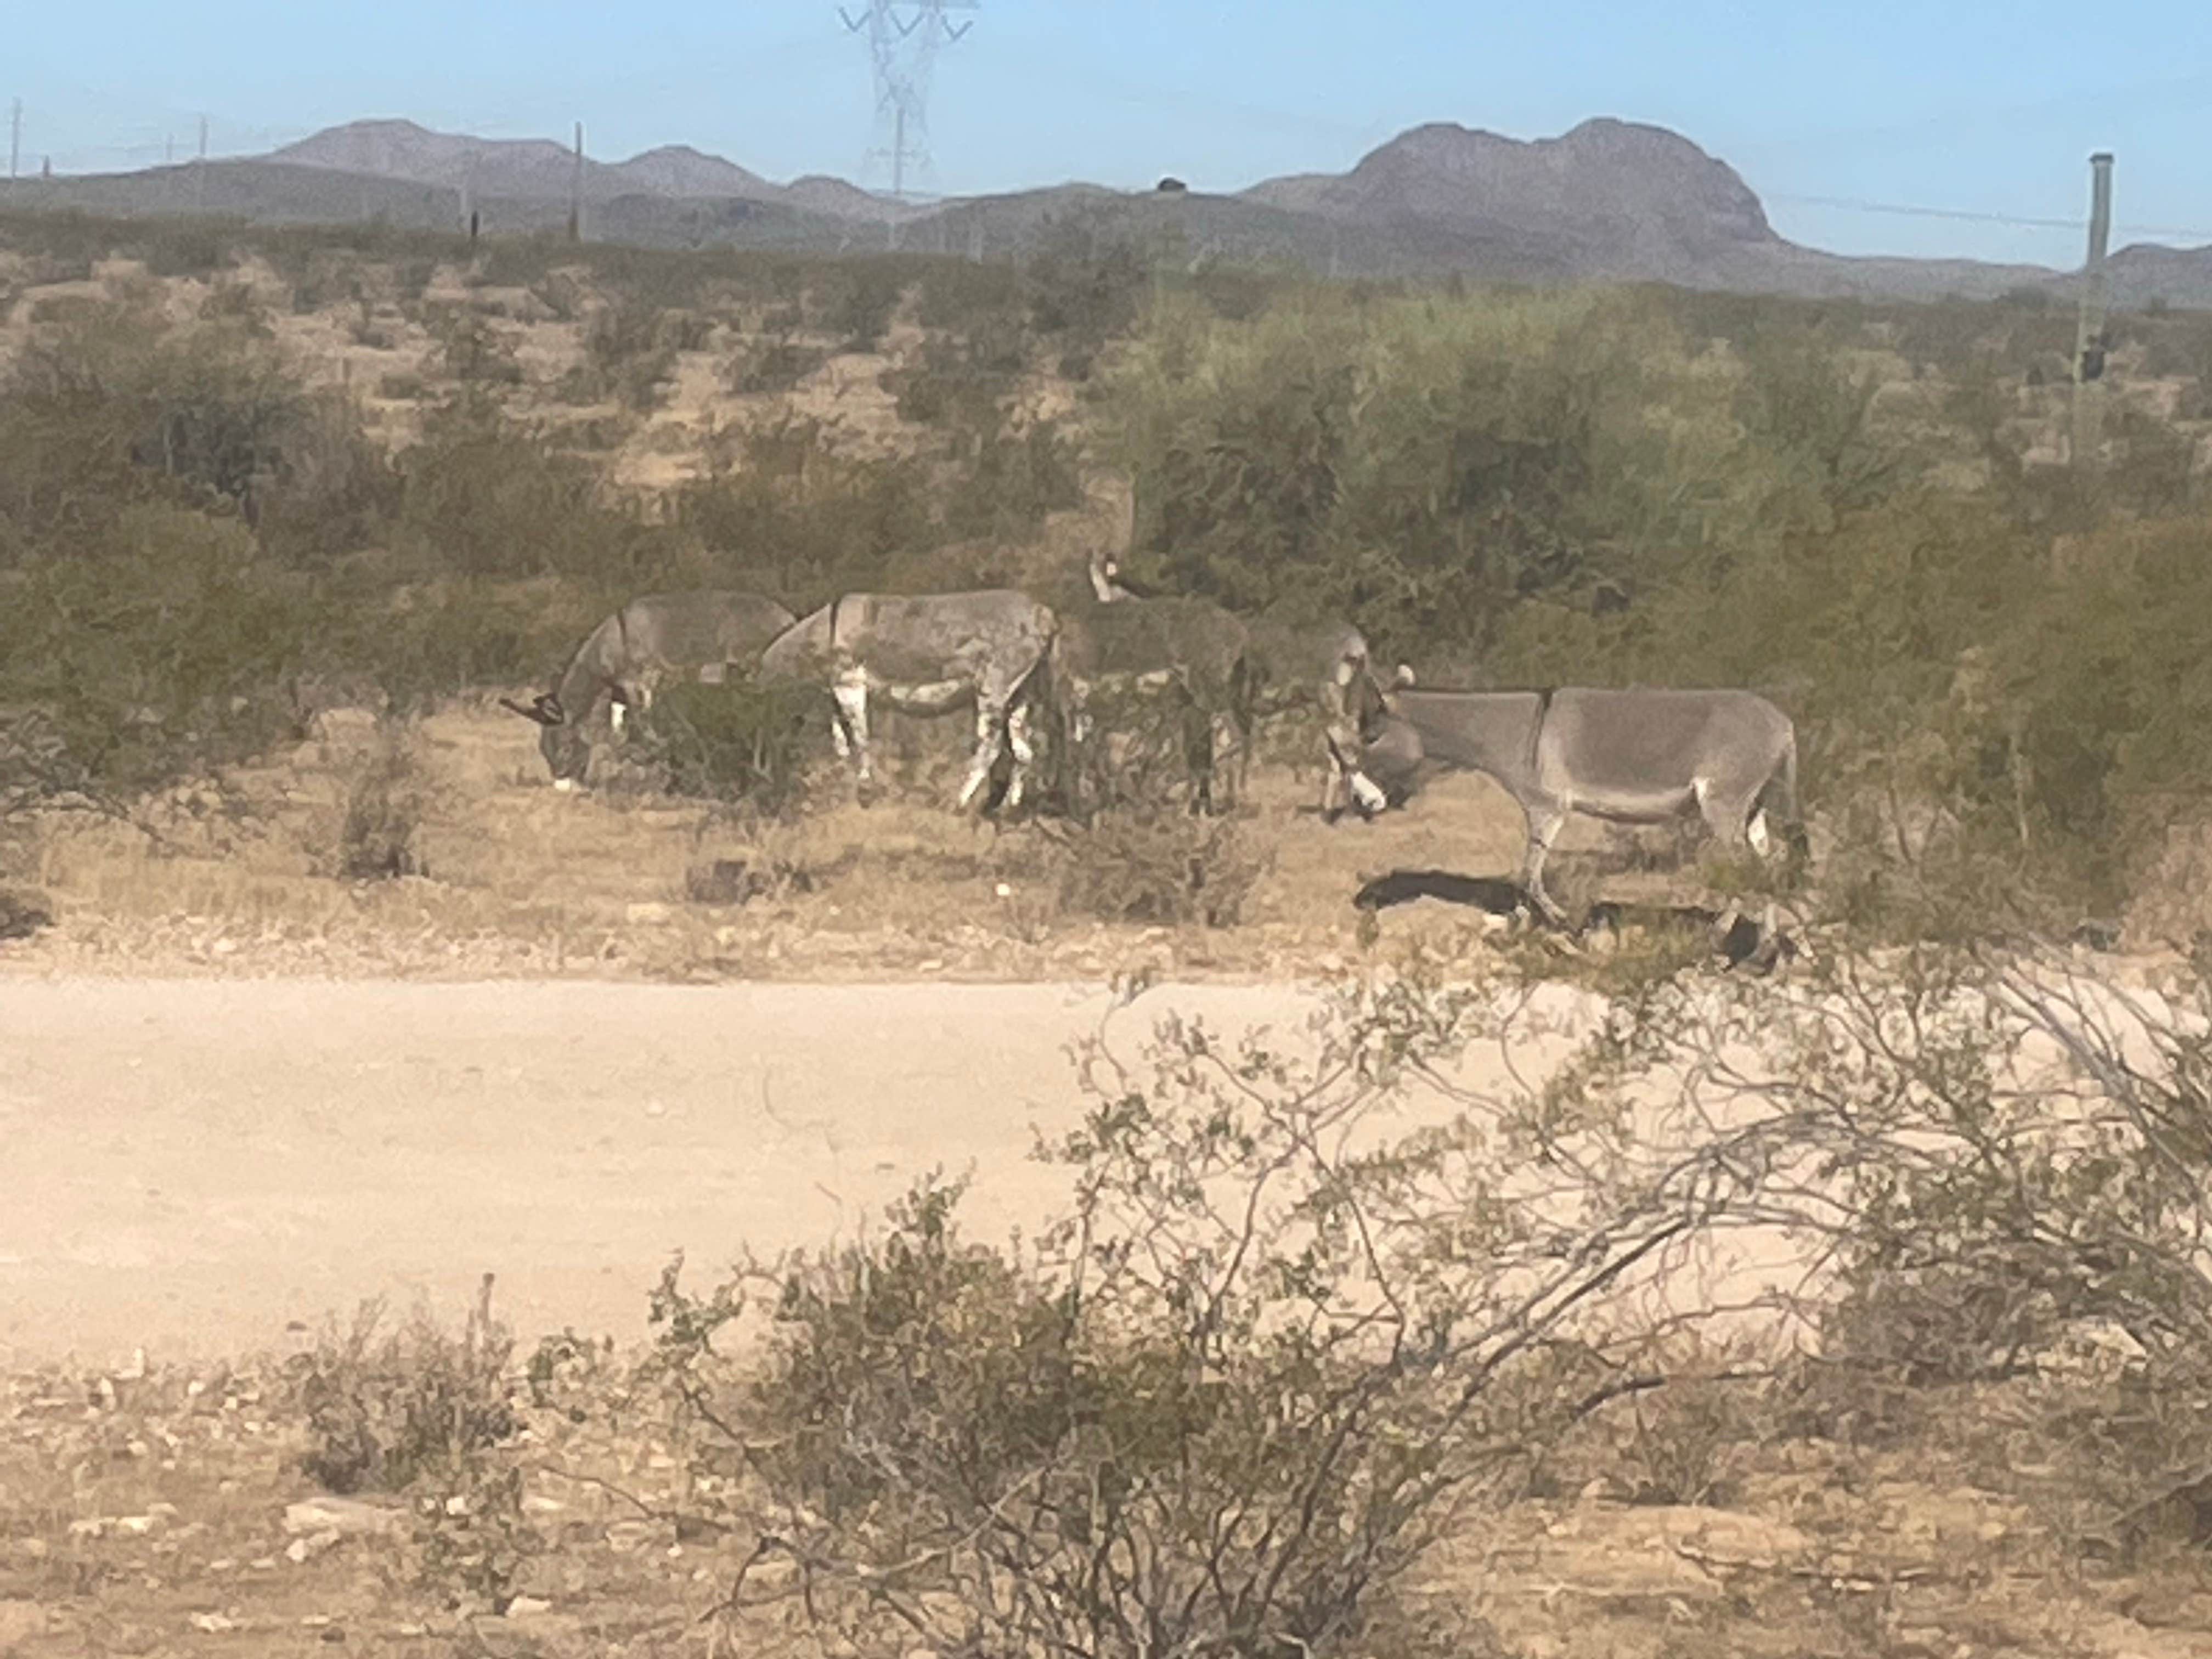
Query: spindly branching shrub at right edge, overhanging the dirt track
point(2005, 1162)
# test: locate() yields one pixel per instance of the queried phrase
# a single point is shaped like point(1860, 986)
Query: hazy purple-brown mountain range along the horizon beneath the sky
point(1605, 202)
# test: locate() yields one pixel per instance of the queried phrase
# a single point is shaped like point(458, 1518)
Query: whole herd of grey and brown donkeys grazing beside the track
point(1636, 755)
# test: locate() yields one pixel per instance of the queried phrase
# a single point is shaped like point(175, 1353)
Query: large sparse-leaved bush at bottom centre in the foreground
point(1220, 1408)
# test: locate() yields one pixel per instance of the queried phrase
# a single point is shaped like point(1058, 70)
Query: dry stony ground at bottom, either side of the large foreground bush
point(149, 1514)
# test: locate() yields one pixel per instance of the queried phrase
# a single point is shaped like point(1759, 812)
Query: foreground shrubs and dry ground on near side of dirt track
point(1853, 1315)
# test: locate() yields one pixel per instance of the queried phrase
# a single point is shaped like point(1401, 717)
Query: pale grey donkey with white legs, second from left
point(926, 656)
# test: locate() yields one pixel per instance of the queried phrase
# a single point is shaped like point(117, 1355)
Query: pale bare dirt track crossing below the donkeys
point(207, 1167)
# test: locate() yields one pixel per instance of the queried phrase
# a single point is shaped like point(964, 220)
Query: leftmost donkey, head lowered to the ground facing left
point(625, 658)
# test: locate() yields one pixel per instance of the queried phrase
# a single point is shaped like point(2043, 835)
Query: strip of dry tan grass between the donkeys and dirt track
point(530, 881)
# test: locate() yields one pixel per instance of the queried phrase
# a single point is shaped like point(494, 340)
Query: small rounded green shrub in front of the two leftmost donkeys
point(740, 742)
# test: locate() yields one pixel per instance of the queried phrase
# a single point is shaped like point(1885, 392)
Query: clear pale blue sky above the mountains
point(1965, 105)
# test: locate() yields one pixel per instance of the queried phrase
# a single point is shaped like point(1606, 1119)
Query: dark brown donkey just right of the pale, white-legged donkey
point(1191, 651)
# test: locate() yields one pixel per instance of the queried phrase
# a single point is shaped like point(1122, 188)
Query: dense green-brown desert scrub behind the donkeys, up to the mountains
point(253, 474)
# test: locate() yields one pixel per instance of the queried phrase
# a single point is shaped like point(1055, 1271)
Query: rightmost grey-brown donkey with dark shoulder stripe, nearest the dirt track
point(1620, 755)
